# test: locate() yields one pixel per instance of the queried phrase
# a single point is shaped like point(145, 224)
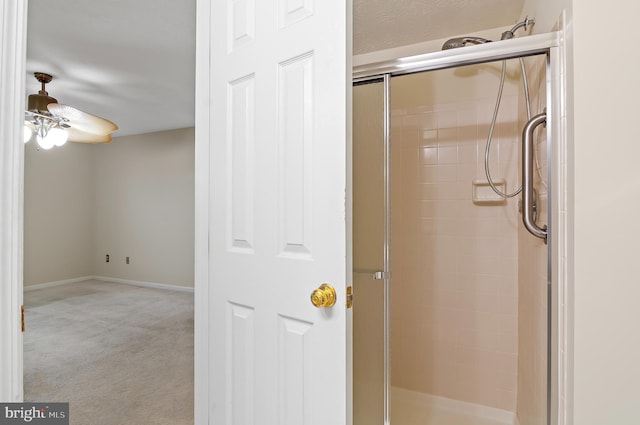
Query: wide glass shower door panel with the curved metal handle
point(469, 305)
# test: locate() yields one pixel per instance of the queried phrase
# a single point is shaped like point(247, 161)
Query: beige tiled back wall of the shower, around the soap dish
point(455, 263)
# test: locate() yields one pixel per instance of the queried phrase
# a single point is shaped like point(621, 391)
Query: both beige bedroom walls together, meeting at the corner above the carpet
point(133, 197)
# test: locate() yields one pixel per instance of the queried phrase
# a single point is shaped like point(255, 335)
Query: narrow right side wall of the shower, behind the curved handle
point(532, 320)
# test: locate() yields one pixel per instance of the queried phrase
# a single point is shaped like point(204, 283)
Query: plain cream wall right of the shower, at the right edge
point(603, 114)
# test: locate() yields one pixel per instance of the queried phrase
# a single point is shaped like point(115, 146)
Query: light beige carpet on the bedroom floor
point(118, 354)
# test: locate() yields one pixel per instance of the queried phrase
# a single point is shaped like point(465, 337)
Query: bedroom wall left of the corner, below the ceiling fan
point(58, 213)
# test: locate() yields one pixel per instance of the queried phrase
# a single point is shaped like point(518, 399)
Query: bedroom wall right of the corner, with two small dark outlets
point(144, 207)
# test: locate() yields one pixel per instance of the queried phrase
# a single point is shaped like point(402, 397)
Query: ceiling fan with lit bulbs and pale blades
point(54, 124)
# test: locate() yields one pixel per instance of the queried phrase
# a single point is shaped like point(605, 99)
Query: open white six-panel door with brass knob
point(280, 95)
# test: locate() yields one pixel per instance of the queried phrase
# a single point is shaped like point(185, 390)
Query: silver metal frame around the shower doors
point(548, 44)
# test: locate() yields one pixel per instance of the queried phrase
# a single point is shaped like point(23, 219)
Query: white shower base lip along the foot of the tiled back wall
point(477, 410)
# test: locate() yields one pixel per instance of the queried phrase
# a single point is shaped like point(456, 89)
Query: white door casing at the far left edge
point(13, 37)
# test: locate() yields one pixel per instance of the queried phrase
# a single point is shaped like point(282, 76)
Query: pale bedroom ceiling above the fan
point(128, 61)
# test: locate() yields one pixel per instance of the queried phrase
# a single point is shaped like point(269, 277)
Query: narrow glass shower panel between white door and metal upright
point(369, 352)
